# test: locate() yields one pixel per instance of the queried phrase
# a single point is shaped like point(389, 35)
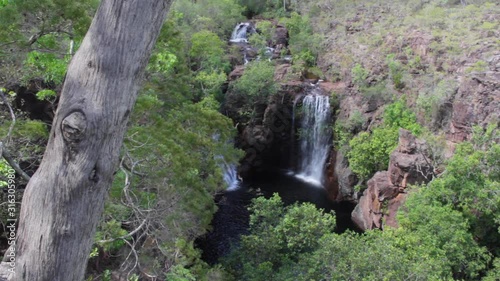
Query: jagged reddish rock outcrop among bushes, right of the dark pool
point(379, 203)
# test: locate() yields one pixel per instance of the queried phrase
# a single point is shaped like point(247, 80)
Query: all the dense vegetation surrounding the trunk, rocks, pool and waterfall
point(448, 229)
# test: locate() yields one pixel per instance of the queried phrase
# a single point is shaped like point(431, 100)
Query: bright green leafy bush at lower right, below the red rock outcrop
point(441, 233)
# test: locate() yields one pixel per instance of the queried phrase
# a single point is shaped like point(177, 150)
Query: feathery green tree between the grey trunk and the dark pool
point(174, 178)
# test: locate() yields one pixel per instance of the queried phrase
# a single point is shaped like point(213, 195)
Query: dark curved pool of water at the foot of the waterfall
point(231, 220)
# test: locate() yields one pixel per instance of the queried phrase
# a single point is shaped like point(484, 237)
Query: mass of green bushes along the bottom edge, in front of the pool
point(296, 243)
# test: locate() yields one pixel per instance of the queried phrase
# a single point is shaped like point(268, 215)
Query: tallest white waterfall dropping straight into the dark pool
point(314, 138)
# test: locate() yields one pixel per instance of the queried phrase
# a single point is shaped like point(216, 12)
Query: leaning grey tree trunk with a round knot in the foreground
point(64, 199)
